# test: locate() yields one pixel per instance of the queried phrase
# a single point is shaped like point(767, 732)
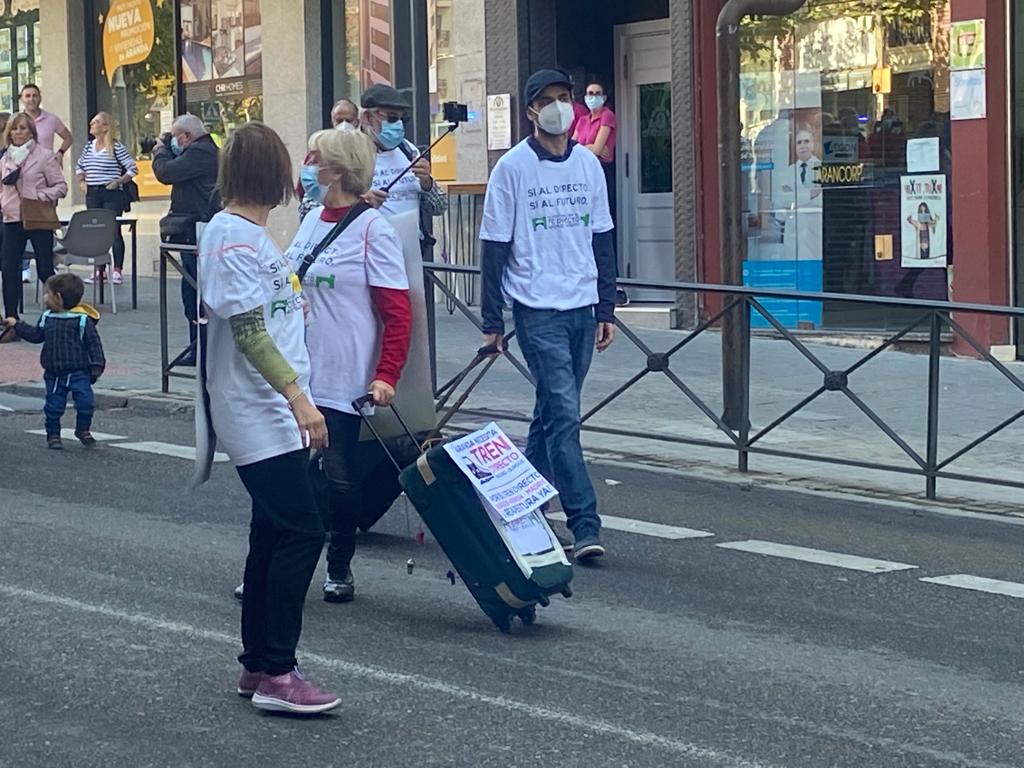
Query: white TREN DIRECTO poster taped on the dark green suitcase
point(506, 482)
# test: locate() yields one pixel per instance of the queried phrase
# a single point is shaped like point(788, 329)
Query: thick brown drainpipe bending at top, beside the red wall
point(736, 350)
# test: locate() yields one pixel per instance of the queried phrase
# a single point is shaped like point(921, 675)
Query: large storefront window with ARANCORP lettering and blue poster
point(846, 156)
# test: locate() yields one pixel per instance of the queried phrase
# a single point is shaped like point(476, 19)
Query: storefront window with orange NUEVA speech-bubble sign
point(134, 44)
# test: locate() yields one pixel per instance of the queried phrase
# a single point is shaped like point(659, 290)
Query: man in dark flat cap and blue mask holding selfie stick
point(385, 112)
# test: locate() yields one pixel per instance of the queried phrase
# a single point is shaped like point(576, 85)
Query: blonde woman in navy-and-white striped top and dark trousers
point(103, 168)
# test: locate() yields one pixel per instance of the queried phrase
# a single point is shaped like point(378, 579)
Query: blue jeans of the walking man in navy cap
point(559, 348)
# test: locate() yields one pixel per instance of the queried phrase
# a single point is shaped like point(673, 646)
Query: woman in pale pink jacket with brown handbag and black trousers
point(28, 173)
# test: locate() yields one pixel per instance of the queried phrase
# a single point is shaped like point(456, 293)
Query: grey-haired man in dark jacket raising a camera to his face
point(187, 160)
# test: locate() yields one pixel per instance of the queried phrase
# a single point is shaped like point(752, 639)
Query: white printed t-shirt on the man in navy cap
point(549, 211)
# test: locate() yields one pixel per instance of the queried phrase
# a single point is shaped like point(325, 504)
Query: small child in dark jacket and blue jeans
point(72, 358)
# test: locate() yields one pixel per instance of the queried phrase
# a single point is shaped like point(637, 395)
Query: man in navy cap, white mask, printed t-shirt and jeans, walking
point(549, 252)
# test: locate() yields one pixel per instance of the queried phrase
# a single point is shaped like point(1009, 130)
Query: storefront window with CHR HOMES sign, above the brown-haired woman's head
point(223, 63)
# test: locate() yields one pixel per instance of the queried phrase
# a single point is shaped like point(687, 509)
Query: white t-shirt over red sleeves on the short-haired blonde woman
point(345, 334)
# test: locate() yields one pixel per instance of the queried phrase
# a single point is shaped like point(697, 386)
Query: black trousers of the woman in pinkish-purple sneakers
point(285, 541)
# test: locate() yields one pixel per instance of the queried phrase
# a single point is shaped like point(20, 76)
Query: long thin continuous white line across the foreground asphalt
point(404, 680)
